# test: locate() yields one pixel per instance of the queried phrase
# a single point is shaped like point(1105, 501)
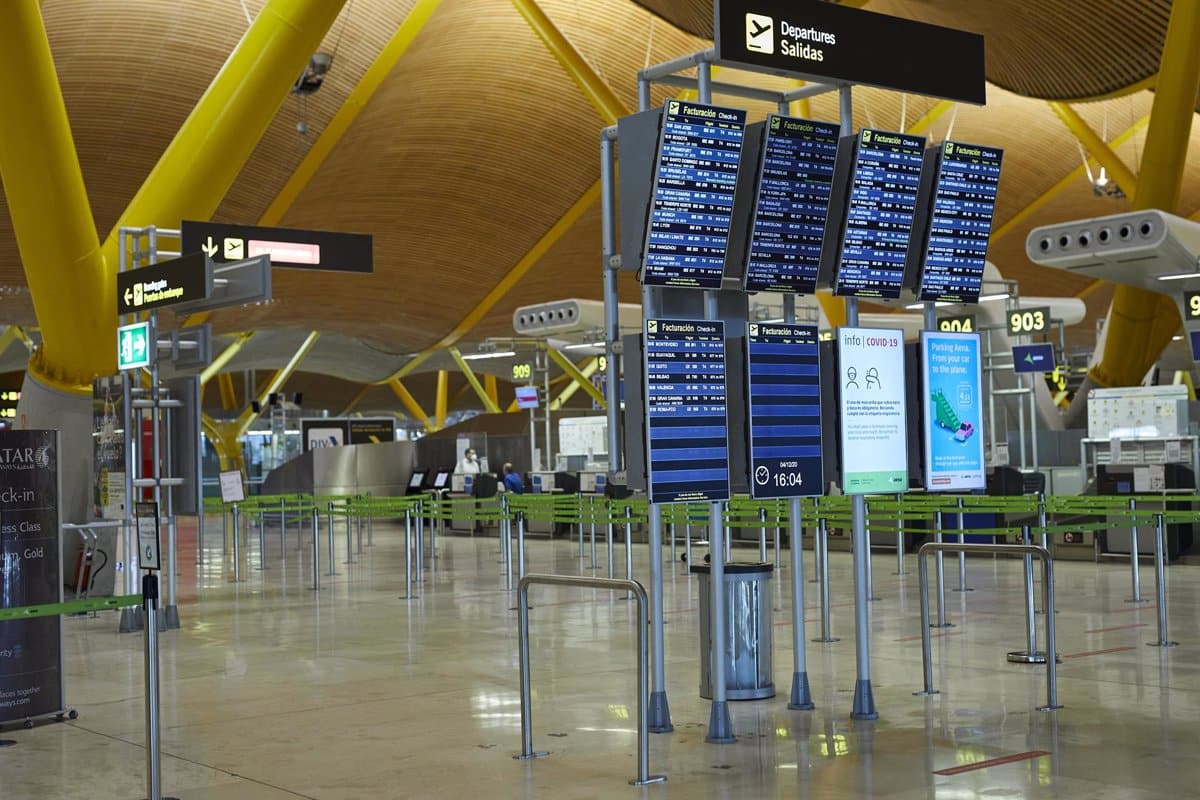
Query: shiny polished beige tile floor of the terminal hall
point(273, 691)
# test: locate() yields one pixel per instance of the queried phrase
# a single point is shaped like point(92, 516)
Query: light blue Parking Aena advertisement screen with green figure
point(952, 378)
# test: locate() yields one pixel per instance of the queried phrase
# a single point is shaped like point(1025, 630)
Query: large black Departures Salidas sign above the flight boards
point(826, 41)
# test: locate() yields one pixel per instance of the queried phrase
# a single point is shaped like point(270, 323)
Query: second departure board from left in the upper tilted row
point(791, 206)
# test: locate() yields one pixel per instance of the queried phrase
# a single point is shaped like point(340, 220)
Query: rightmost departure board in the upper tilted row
point(961, 224)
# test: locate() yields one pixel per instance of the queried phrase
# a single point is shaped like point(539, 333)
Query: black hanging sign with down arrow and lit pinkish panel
point(304, 250)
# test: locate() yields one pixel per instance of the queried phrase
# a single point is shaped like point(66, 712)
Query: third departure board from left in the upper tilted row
point(879, 216)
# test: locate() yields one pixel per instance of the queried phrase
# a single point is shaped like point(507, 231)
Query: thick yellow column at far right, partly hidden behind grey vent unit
point(1141, 324)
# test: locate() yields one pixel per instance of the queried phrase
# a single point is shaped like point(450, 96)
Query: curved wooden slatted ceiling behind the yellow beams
point(478, 141)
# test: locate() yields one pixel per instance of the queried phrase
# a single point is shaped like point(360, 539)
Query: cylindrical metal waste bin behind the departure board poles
point(749, 666)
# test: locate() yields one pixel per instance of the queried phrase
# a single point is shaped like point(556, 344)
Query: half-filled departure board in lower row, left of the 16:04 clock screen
point(688, 448)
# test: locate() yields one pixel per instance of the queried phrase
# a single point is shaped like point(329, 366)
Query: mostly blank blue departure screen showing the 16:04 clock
point(784, 408)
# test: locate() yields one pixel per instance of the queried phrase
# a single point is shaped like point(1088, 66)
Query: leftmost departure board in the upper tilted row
point(697, 172)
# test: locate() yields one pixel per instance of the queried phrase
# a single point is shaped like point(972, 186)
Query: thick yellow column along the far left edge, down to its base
point(51, 215)
